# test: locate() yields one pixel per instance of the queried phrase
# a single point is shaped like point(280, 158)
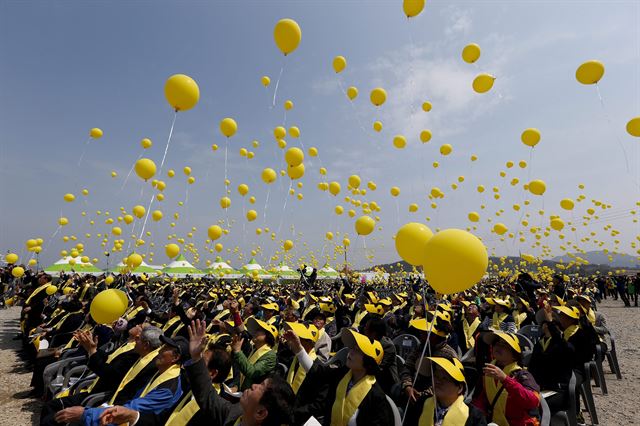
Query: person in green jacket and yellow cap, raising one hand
point(262, 359)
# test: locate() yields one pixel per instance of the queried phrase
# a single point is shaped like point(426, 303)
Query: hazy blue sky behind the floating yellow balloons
point(70, 66)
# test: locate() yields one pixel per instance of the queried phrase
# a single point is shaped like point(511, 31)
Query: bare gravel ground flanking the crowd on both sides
point(619, 407)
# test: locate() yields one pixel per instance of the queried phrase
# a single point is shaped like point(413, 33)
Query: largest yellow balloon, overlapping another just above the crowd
point(454, 261)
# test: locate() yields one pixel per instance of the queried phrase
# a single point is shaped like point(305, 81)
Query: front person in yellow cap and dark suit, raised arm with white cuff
point(354, 396)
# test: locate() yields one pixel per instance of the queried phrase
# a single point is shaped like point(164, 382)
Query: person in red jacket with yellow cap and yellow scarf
point(509, 393)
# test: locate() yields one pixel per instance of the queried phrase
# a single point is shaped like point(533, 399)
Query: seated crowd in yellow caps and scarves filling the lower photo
point(195, 351)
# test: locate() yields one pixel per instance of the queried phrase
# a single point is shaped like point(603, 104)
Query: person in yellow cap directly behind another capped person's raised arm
point(310, 395)
